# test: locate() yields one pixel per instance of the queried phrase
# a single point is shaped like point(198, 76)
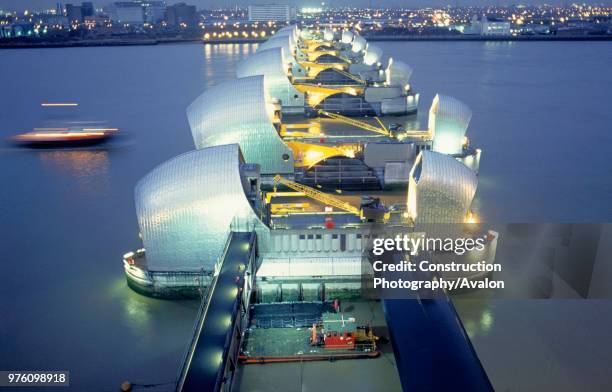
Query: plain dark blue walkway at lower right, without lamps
point(432, 349)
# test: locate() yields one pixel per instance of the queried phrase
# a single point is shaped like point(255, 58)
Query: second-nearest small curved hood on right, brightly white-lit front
point(448, 122)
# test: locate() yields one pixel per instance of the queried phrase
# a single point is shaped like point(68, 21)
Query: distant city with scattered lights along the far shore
point(186, 22)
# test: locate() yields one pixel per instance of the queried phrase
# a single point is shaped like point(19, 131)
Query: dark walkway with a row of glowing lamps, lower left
point(212, 356)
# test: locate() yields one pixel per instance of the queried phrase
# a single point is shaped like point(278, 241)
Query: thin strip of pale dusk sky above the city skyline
point(203, 4)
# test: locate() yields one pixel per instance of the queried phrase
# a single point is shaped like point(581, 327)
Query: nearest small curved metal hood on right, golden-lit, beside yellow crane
point(441, 189)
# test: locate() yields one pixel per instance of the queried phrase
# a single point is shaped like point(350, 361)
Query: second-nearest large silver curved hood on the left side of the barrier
point(240, 111)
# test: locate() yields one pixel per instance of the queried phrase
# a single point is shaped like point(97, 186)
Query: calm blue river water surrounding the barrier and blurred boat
point(541, 115)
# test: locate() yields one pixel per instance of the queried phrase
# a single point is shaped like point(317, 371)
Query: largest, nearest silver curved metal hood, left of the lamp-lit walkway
point(185, 207)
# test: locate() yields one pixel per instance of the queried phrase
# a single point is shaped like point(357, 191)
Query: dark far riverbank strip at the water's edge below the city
point(18, 44)
